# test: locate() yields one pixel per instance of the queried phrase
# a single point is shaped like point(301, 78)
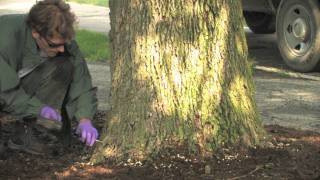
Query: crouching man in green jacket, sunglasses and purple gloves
point(43, 75)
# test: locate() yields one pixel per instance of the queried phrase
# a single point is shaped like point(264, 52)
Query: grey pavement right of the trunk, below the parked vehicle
point(281, 99)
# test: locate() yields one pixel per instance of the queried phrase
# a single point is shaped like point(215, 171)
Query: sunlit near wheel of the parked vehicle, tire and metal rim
point(298, 33)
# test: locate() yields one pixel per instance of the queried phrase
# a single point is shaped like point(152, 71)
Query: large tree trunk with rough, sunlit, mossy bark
point(180, 76)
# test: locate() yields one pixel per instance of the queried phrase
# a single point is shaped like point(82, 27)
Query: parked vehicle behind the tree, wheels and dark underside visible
point(297, 27)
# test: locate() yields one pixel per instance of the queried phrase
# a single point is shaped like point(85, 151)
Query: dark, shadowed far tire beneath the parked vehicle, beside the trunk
point(260, 23)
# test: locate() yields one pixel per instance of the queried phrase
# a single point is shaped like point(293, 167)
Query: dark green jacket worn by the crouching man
point(18, 50)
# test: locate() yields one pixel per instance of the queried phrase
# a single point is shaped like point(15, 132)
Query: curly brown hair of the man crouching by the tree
point(50, 17)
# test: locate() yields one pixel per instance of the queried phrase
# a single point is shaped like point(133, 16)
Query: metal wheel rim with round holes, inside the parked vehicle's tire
point(298, 30)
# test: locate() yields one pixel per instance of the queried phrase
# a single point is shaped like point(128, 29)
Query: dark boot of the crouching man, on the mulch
point(24, 140)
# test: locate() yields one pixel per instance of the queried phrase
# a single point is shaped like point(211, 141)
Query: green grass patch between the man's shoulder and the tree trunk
point(93, 45)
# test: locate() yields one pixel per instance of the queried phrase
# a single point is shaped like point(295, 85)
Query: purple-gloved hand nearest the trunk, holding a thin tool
point(87, 132)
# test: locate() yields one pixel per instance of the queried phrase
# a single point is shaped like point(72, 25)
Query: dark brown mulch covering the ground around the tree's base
point(289, 154)
